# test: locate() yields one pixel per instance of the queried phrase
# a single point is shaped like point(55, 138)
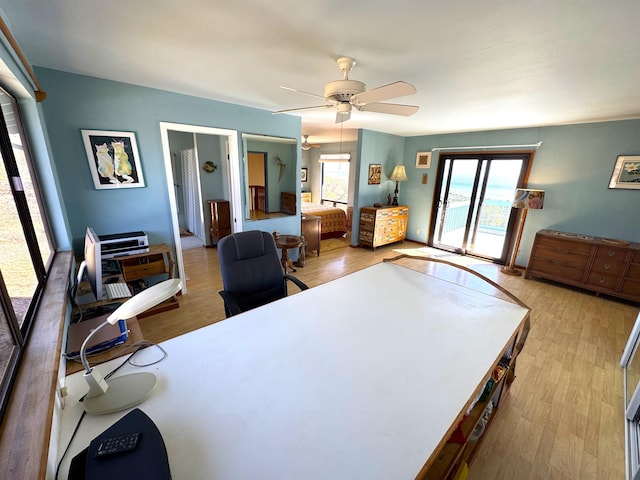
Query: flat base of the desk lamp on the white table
point(124, 392)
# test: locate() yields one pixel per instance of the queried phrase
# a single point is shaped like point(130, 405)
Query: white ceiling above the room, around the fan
point(477, 64)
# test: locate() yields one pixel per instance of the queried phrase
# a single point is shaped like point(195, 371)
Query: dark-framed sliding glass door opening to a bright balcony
point(472, 208)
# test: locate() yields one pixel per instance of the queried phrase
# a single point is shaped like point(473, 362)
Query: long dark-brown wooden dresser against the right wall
point(602, 265)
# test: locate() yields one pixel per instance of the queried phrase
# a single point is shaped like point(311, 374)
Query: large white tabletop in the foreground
point(362, 377)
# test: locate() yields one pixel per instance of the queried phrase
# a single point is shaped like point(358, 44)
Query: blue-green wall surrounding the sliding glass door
point(573, 165)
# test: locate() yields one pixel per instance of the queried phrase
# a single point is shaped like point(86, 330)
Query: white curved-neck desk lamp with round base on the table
point(125, 391)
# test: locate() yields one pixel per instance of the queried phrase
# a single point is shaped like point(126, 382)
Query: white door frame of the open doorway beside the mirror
point(233, 167)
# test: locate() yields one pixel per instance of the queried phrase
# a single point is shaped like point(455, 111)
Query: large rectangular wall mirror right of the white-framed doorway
point(270, 172)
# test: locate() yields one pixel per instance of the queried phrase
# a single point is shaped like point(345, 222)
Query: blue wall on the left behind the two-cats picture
point(76, 102)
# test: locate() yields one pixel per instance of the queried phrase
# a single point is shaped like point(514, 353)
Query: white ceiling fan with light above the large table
point(347, 94)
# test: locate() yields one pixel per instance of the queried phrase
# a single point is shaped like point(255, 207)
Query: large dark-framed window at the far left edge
point(25, 248)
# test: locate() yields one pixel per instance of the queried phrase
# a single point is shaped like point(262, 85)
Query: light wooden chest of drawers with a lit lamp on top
point(382, 225)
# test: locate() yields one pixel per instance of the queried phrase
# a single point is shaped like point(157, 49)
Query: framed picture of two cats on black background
point(113, 158)
